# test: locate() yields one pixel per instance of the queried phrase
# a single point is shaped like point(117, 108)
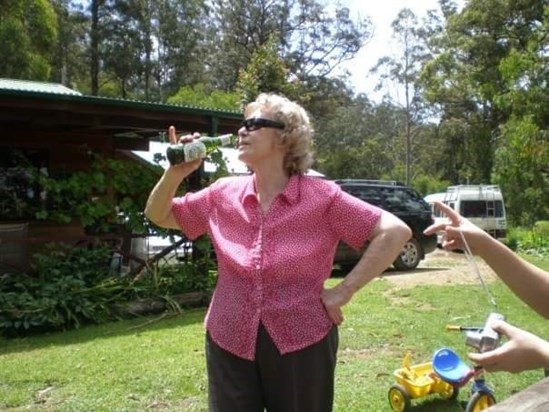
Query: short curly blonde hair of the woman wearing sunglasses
point(297, 134)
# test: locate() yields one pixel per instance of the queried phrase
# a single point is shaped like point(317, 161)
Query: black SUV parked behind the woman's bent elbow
point(403, 202)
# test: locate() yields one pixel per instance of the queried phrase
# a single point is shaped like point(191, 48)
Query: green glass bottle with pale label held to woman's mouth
point(197, 149)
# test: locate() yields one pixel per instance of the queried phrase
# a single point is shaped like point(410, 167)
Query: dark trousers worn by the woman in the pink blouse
point(301, 381)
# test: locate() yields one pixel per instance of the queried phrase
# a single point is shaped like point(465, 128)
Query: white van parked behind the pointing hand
point(481, 204)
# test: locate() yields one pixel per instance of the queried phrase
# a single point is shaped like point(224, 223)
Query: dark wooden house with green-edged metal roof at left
point(54, 127)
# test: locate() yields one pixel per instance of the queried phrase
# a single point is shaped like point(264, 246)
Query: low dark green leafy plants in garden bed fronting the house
point(72, 287)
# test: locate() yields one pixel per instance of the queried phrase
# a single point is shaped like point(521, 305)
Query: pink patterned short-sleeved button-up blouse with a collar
point(272, 266)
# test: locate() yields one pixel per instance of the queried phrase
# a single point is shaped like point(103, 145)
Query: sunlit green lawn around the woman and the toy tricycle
point(158, 363)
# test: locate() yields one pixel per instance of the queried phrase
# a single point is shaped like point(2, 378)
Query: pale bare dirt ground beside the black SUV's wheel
point(441, 268)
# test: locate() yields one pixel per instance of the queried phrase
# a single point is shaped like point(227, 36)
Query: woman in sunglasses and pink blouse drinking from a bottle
point(271, 328)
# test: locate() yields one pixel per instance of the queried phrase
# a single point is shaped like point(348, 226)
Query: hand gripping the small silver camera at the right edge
point(523, 351)
